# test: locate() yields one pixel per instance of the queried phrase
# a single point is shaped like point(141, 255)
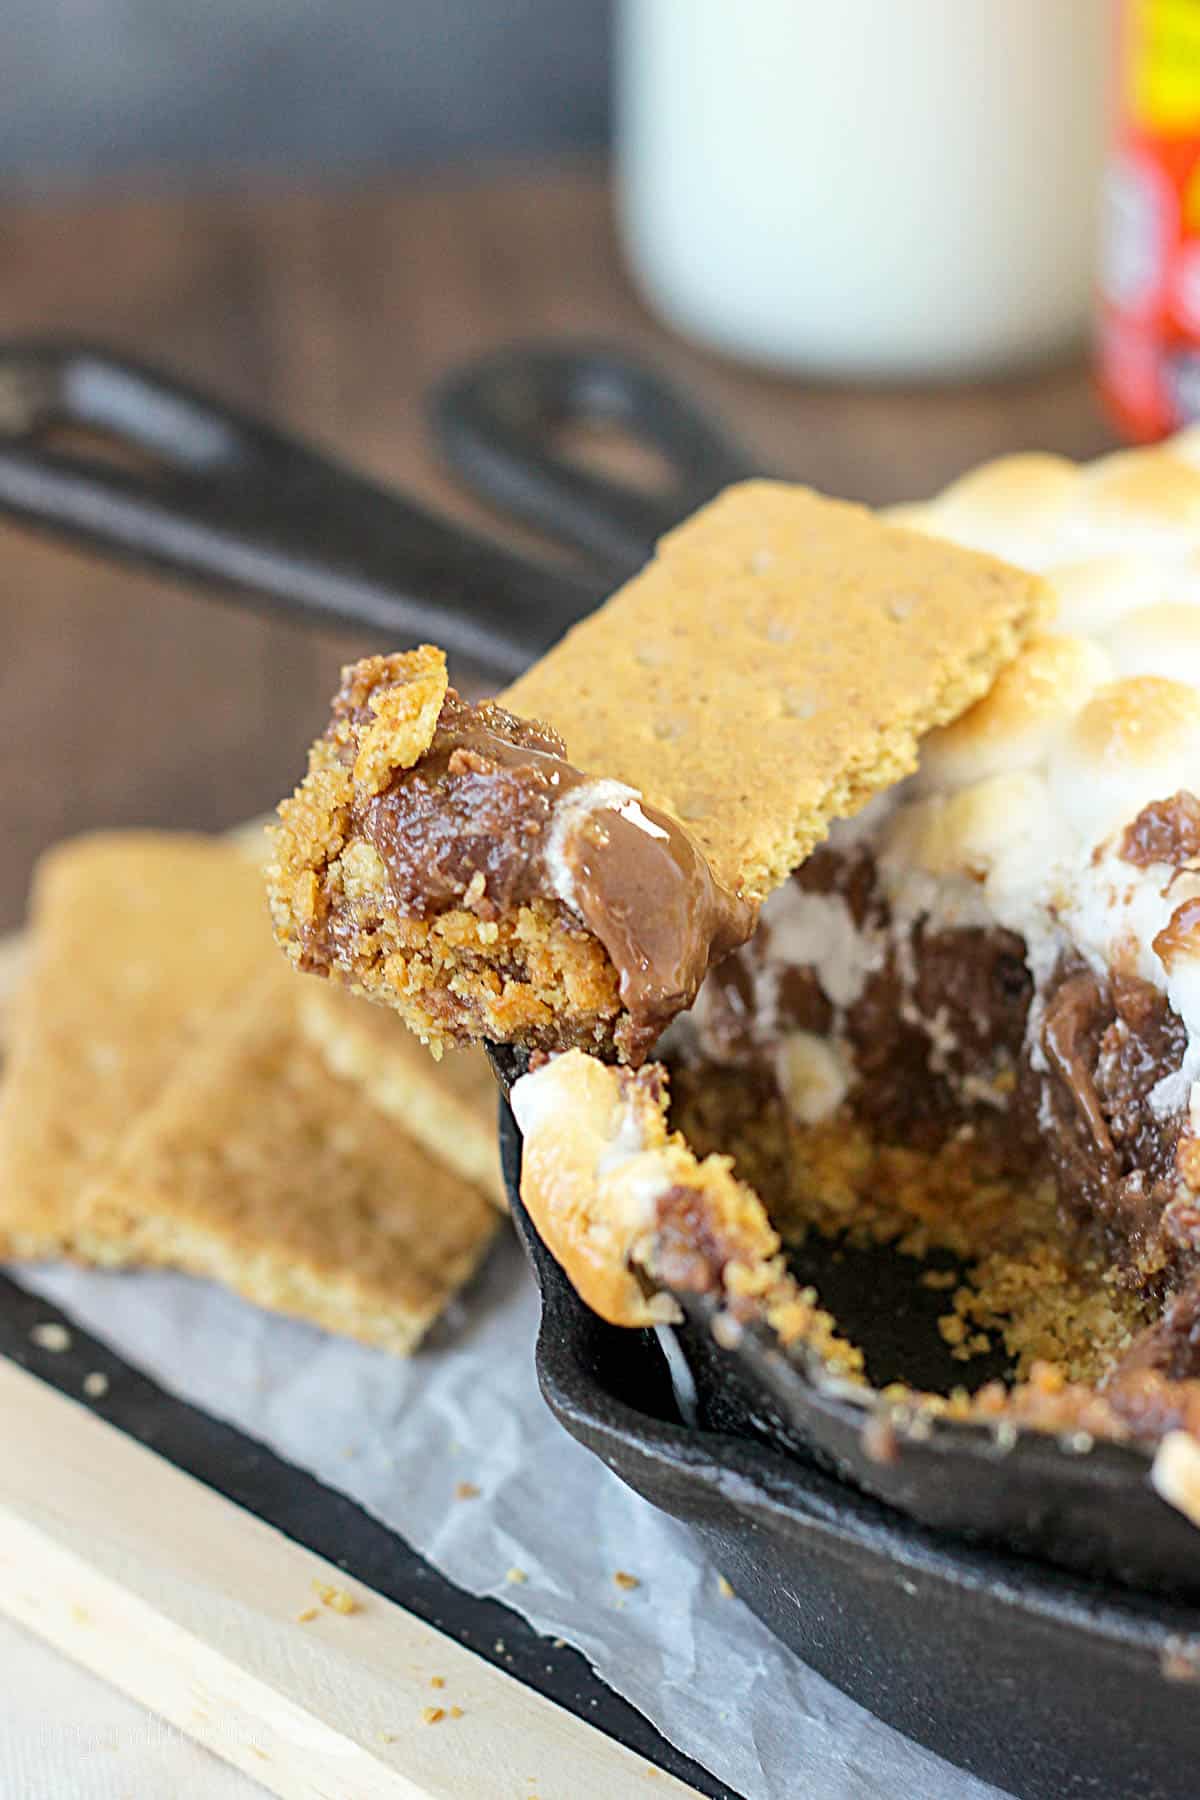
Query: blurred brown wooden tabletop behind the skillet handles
point(125, 701)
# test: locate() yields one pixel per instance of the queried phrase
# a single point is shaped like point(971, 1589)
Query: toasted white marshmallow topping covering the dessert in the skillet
point(1017, 811)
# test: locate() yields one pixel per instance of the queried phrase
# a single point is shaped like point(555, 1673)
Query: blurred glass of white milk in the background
point(873, 188)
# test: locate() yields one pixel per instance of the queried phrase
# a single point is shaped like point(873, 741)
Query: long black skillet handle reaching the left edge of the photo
point(130, 462)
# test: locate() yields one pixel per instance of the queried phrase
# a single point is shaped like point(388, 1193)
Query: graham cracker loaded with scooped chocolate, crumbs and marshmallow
point(564, 865)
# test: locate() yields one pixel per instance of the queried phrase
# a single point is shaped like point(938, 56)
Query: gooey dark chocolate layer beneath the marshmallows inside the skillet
point(936, 1030)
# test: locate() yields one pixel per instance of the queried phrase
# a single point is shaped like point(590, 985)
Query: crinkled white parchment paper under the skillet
point(399, 1437)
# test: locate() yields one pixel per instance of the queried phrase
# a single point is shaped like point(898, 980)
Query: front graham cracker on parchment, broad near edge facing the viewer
point(262, 1169)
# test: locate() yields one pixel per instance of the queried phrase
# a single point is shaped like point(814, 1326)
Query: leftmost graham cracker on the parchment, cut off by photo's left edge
point(138, 940)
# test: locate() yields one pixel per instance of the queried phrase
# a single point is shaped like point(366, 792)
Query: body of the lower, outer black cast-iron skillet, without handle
point(1039, 1680)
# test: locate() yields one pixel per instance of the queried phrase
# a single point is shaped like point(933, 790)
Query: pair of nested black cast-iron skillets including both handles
point(134, 463)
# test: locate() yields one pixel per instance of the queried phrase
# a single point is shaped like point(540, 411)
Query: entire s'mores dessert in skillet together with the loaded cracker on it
point(949, 1002)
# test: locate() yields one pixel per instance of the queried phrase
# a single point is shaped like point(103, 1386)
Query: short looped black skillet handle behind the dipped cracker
point(497, 424)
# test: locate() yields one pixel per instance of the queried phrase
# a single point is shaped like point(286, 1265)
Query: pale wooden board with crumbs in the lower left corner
point(197, 1608)
